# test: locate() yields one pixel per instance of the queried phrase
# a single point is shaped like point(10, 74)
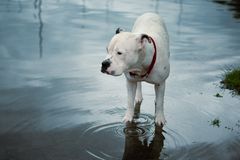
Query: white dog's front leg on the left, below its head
point(131, 90)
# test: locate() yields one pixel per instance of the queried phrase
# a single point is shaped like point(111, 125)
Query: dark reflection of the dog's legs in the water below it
point(142, 147)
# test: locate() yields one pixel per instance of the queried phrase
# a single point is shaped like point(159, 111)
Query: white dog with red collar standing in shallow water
point(142, 55)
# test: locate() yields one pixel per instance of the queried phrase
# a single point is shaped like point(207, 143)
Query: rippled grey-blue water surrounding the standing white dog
point(55, 103)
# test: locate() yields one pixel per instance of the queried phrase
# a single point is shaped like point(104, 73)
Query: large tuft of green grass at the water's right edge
point(231, 80)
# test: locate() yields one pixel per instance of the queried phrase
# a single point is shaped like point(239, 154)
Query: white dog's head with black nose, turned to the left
point(124, 51)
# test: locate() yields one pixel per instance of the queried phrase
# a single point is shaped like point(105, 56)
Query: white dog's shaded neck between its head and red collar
point(144, 61)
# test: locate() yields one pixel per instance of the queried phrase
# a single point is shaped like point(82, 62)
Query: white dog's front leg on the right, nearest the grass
point(159, 115)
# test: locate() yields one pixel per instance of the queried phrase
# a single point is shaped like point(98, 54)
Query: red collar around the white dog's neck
point(152, 63)
